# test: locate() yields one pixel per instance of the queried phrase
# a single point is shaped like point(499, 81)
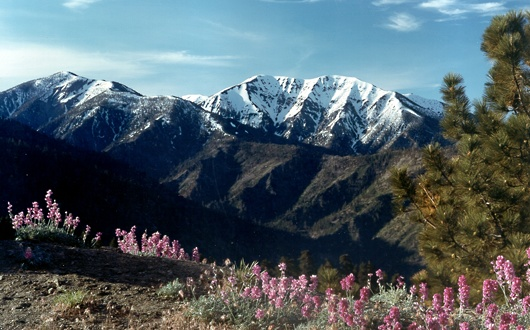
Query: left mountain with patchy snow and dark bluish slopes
point(98, 115)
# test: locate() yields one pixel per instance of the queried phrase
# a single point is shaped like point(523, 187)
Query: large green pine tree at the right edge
point(474, 201)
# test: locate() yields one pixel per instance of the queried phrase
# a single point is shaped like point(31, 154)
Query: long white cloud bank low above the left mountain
point(26, 61)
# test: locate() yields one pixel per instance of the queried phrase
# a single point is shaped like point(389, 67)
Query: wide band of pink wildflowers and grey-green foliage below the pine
point(249, 297)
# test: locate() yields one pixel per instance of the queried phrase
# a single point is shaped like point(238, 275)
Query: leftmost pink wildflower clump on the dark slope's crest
point(34, 225)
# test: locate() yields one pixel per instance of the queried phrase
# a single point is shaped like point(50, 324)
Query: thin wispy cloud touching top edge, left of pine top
point(459, 8)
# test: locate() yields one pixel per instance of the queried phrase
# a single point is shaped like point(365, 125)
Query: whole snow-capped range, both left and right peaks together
point(343, 114)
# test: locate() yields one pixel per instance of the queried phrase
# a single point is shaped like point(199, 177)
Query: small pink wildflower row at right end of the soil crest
point(155, 245)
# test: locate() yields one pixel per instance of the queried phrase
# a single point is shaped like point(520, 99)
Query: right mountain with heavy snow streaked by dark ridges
point(336, 112)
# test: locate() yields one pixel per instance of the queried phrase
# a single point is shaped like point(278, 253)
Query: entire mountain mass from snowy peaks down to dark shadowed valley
point(264, 169)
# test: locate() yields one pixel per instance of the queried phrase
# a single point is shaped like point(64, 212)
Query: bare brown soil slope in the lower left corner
point(121, 289)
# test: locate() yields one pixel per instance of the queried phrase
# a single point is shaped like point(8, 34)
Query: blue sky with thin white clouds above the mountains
point(179, 47)
